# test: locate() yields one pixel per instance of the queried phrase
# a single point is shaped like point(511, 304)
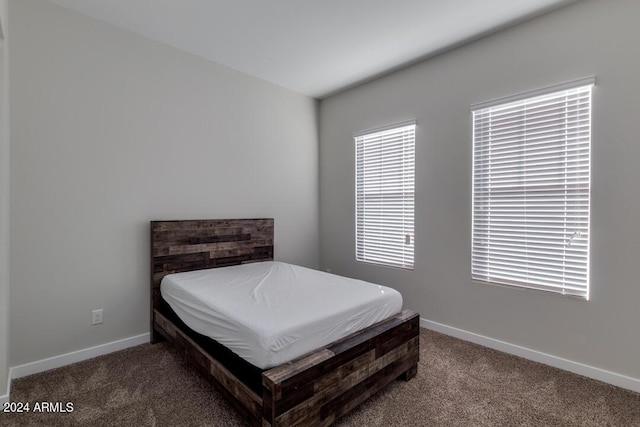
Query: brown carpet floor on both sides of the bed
point(458, 384)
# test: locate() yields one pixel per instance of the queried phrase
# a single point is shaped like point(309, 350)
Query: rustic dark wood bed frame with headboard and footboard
point(315, 389)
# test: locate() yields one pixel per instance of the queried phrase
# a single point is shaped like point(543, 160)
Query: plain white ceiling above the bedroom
point(315, 47)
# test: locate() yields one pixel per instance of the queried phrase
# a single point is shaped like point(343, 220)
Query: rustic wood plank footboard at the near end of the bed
point(320, 388)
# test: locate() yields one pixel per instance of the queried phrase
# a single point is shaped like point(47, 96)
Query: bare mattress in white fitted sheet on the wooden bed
point(269, 313)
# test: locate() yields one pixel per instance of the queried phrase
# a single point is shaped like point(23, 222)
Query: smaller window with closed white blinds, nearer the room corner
point(385, 167)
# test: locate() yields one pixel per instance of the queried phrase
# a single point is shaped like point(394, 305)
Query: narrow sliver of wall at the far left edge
point(4, 210)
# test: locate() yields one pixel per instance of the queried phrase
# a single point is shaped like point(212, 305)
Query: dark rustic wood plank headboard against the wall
point(178, 246)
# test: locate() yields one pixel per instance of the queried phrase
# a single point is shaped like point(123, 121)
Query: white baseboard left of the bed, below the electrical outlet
point(69, 358)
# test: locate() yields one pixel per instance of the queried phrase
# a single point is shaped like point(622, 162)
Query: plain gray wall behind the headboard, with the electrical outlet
point(110, 130)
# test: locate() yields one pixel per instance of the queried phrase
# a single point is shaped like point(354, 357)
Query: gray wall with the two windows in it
point(588, 38)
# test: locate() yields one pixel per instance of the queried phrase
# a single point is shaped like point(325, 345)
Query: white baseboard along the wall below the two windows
point(619, 380)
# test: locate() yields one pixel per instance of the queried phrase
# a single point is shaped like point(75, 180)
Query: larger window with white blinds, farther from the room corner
point(531, 183)
